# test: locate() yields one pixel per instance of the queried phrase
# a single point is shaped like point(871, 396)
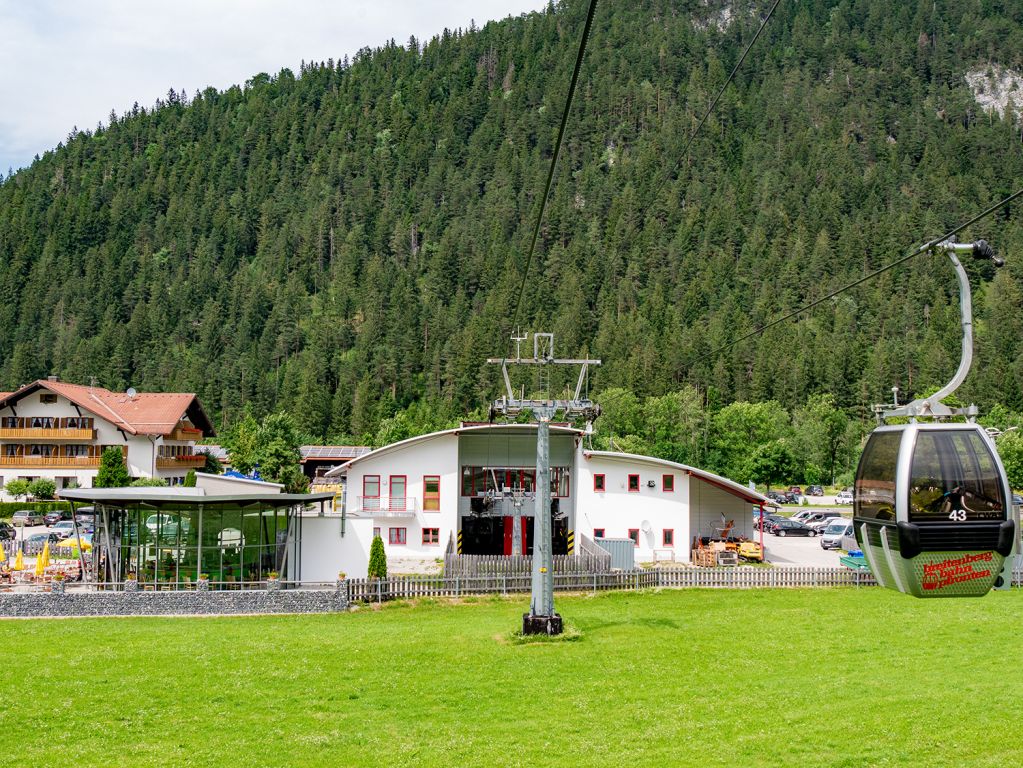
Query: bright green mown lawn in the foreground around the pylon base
point(839, 677)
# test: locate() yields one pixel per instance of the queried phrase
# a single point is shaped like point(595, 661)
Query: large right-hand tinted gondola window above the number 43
point(954, 479)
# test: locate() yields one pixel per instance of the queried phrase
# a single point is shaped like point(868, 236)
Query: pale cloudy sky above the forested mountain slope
point(66, 64)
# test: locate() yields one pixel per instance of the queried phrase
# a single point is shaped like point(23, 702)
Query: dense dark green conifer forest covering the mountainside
point(346, 243)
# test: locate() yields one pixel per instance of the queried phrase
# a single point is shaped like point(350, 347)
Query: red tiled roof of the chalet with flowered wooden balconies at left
point(145, 414)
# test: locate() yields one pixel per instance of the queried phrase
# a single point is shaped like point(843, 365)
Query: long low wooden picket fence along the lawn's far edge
point(725, 578)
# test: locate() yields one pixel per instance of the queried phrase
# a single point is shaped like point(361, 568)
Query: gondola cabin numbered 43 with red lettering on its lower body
point(932, 511)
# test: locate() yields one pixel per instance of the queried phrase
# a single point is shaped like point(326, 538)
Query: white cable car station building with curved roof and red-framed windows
point(471, 490)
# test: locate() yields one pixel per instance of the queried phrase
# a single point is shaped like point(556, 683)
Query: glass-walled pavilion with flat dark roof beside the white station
point(168, 538)
